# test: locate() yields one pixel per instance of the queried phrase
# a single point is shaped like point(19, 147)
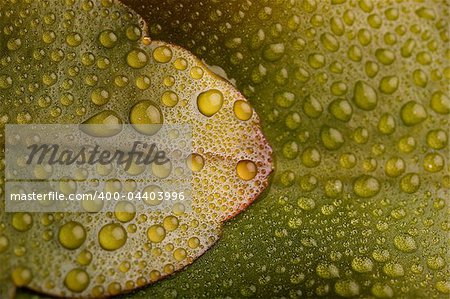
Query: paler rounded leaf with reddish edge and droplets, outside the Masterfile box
point(85, 62)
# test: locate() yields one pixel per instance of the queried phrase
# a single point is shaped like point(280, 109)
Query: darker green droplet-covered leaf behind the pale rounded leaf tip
point(353, 96)
